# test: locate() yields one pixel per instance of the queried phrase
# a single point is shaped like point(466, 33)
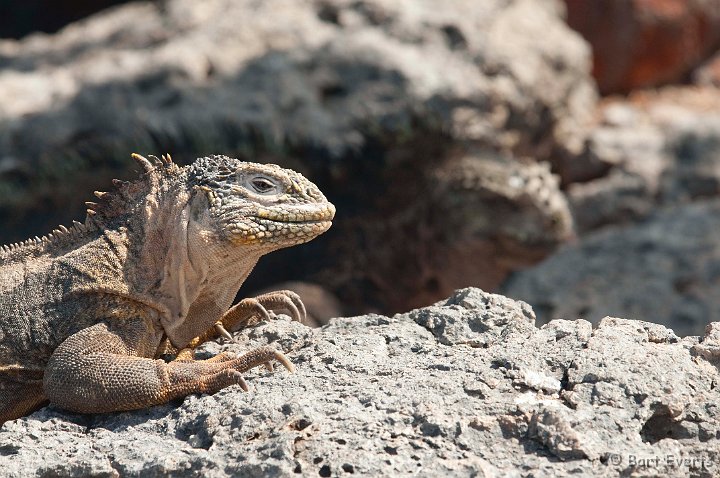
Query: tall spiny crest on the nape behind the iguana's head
point(153, 170)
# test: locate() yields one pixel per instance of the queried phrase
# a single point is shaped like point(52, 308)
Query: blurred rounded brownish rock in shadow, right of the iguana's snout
point(473, 219)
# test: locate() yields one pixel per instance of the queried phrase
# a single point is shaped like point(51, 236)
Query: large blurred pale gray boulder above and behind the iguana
point(307, 75)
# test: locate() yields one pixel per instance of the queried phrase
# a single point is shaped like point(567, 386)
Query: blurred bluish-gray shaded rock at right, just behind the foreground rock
point(663, 270)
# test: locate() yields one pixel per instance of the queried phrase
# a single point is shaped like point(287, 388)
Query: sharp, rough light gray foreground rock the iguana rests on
point(467, 387)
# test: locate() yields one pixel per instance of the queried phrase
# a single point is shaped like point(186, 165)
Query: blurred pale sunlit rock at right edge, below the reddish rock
point(652, 150)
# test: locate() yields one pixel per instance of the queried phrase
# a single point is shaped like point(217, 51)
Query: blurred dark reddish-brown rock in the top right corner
point(641, 43)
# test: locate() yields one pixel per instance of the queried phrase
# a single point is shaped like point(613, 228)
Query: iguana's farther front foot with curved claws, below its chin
point(250, 311)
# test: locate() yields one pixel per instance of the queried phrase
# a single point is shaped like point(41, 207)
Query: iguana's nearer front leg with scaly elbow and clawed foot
point(107, 367)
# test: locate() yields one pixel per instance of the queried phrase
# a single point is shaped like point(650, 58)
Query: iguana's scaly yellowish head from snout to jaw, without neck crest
point(259, 205)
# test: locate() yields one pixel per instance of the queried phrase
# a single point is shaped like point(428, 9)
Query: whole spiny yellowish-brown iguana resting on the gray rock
point(87, 312)
